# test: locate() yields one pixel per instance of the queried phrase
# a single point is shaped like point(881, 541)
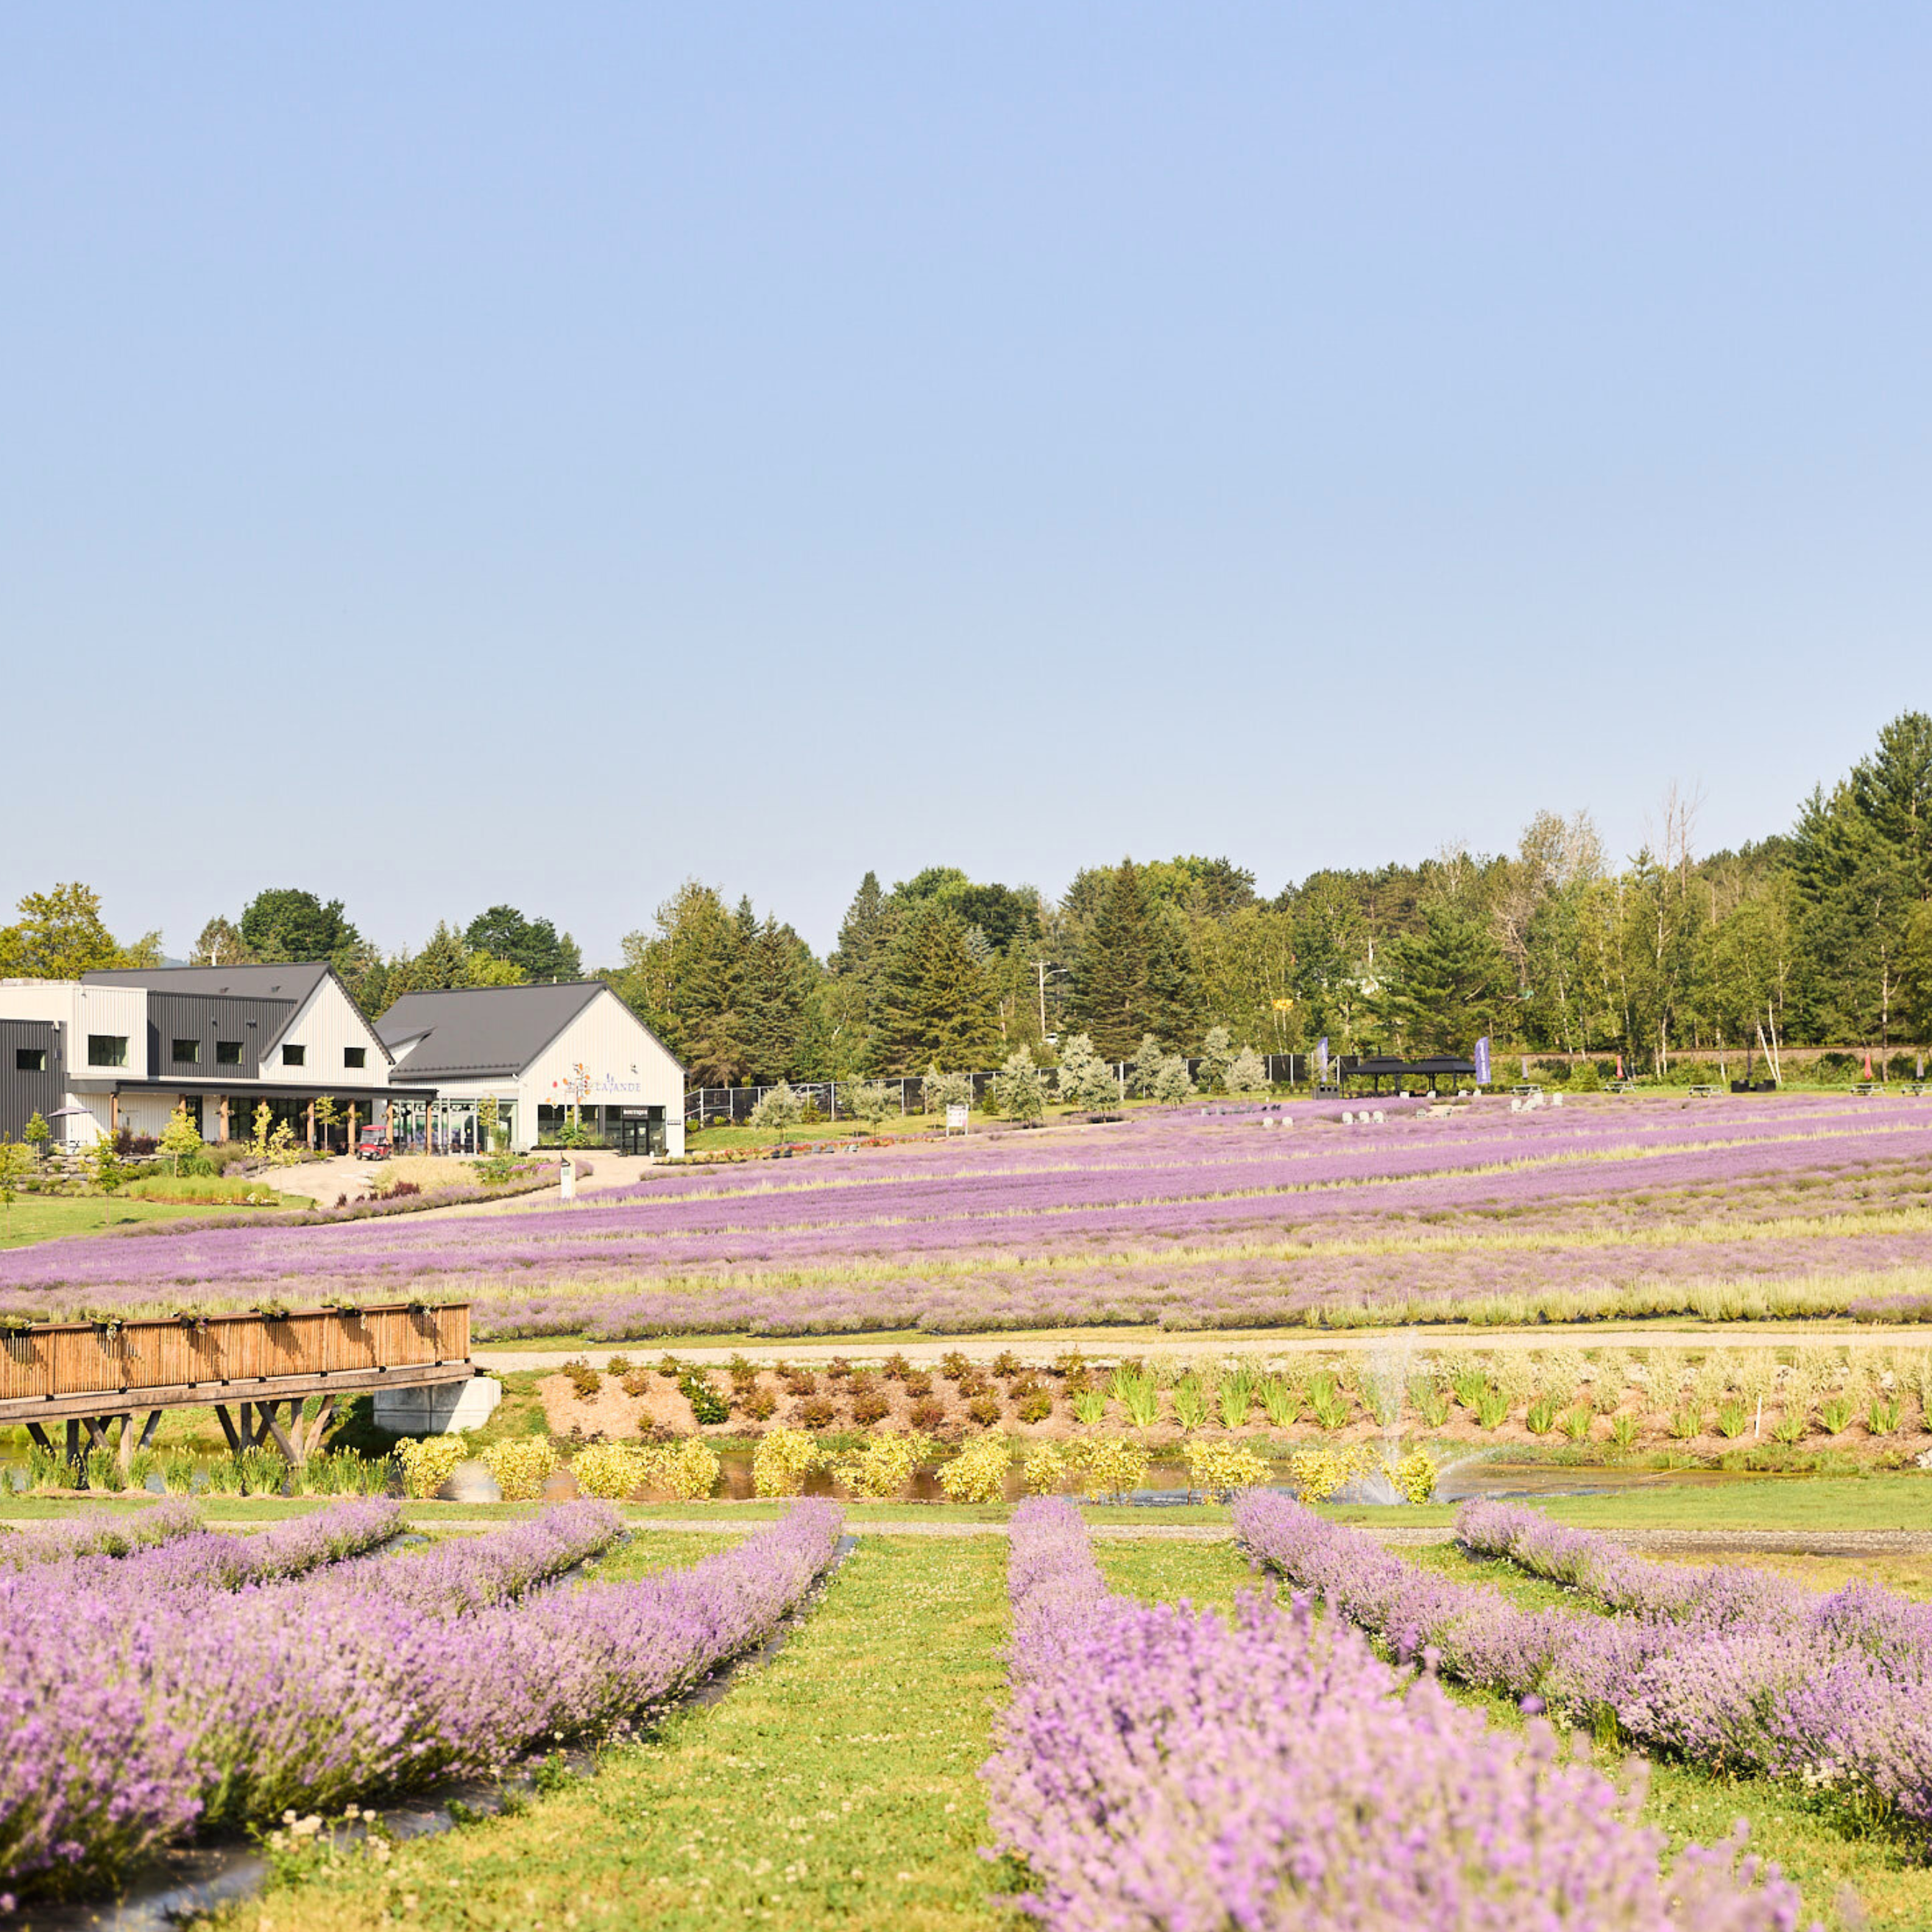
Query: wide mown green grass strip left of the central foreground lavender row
point(832, 1788)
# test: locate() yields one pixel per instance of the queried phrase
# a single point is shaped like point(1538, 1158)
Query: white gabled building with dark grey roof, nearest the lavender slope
point(536, 1052)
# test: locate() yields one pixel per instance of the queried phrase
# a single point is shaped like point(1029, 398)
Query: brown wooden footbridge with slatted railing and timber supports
point(256, 1371)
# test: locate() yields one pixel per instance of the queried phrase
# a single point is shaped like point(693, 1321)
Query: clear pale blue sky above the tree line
point(463, 455)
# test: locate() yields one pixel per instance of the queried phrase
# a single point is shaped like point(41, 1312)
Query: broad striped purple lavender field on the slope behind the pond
point(1191, 1222)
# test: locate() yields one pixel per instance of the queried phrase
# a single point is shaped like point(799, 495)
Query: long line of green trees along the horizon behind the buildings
point(1815, 936)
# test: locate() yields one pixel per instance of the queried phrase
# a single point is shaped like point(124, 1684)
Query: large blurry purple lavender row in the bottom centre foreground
point(1170, 1769)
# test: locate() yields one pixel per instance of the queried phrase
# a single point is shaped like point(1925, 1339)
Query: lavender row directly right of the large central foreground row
point(1759, 1693)
